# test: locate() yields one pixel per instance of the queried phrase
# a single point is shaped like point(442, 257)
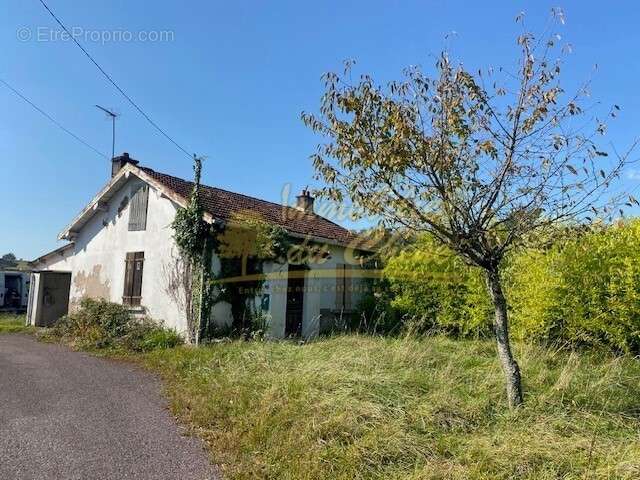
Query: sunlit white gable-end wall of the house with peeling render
point(97, 260)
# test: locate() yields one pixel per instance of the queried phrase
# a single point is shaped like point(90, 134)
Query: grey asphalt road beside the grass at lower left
point(67, 415)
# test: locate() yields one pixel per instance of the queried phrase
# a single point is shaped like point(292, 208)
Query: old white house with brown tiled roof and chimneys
point(122, 249)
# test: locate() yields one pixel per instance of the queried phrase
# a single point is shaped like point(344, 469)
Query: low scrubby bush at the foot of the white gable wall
point(102, 324)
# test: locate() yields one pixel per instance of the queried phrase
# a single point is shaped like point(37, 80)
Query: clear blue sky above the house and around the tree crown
point(230, 83)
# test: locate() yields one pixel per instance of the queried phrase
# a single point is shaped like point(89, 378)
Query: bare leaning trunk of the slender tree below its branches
point(509, 365)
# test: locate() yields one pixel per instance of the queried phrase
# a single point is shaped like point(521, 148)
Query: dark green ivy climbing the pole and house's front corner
point(243, 244)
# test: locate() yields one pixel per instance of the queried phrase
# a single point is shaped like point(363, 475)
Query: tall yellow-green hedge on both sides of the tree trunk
point(583, 290)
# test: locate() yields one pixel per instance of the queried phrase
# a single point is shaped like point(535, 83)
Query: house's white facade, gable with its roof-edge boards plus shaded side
point(101, 239)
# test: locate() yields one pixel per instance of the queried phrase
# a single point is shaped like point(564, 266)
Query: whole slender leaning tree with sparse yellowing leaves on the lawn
point(484, 161)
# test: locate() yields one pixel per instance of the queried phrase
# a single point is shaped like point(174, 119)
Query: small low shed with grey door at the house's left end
point(48, 297)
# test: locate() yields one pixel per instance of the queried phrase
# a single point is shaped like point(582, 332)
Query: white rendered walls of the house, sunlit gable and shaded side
point(97, 263)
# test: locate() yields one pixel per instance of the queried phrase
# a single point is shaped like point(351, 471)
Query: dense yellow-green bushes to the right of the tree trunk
point(583, 290)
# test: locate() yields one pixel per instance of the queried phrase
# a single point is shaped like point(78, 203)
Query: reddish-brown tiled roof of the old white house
point(222, 204)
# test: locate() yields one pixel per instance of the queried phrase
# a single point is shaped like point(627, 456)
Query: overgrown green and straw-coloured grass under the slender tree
point(358, 407)
